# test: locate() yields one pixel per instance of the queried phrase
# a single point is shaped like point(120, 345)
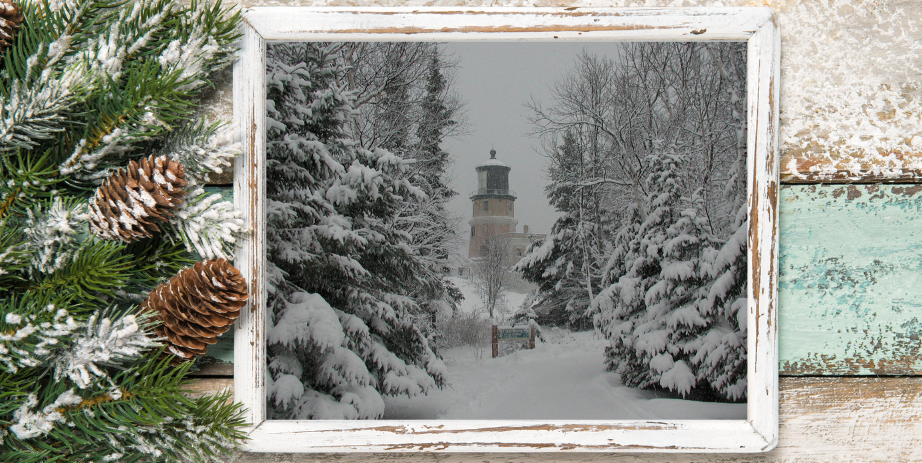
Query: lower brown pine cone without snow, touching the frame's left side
point(196, 306)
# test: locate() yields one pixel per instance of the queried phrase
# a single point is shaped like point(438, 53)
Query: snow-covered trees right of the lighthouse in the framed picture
point(647, 163)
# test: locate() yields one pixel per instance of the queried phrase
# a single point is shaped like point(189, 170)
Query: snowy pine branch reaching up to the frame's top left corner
point(160, 92)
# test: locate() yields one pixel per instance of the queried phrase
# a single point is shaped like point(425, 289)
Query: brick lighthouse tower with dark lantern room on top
point(493, 204)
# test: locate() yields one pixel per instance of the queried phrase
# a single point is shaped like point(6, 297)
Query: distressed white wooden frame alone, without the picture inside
point(757, 26)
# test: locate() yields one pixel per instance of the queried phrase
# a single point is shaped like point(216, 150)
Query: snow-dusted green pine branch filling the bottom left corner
point(143, 414)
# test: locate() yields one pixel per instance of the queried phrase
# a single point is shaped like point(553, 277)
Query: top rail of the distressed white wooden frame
point(439, 24)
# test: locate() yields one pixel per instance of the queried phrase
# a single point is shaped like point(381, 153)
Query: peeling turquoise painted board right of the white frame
point(850, 283)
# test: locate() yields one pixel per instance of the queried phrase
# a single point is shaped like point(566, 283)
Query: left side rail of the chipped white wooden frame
point(249, 197)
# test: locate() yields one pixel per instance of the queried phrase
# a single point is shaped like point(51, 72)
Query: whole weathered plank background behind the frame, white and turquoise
point(850, 284)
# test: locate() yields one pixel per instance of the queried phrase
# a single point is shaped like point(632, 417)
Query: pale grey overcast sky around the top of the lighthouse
point(495, 80)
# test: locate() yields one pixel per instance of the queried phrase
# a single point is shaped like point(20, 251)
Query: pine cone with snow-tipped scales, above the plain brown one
point(131, 202)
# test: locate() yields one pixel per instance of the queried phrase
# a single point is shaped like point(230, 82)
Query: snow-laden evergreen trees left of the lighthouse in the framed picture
point(353, 246)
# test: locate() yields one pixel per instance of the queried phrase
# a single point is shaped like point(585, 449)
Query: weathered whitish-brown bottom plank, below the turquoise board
point(822, 420)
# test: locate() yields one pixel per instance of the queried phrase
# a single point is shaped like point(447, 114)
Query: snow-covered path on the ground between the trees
point(564, 379)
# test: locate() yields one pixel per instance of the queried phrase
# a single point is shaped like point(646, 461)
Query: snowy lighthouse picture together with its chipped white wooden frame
point(508, 229)
